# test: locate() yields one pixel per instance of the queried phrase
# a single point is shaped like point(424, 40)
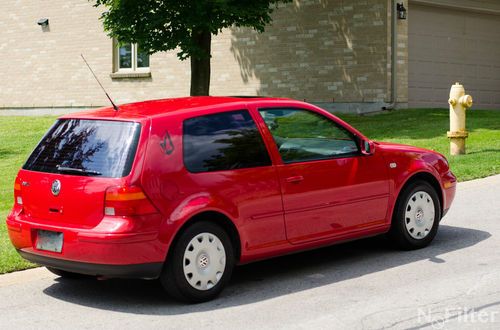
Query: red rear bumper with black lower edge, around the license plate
point(111, 249)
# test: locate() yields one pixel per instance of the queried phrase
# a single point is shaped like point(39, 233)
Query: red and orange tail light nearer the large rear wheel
point(127, 201)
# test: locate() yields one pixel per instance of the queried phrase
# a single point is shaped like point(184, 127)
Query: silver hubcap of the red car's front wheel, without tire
point(419, 215)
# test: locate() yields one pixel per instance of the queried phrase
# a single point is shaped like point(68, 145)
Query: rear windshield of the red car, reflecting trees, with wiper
point(86, 147)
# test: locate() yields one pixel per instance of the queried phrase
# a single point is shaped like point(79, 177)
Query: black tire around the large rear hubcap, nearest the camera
point(173, 278)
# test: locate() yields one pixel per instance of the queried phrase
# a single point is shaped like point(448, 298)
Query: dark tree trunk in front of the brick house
point(200, 66)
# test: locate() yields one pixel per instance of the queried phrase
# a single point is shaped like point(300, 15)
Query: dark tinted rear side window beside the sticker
point(223, 141)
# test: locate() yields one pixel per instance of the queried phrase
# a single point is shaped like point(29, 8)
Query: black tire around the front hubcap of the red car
point(401, 233)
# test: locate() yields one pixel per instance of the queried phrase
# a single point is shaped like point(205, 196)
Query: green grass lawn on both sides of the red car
point(424, 128)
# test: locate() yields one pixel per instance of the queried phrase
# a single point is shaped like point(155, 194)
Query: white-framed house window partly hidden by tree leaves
point(129, 58)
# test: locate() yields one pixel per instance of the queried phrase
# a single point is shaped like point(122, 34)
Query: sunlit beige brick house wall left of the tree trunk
point(43, 67)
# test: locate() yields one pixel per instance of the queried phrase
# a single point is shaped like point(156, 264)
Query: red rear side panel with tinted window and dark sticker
point(216, 160)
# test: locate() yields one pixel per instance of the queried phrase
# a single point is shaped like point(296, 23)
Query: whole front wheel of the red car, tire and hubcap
point(416, 216)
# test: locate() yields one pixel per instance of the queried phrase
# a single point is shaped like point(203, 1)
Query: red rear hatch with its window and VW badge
point(65, 178)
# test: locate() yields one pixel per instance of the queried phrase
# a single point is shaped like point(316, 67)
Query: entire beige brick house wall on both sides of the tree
point(319, 50)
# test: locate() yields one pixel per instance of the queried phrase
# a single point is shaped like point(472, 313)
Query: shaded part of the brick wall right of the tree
point(319, 51)
